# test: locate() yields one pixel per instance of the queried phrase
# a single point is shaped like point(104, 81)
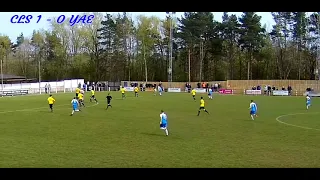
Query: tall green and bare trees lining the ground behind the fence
point(115, 47)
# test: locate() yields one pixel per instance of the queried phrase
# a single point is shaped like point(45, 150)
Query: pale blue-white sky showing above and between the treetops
point(14, 30)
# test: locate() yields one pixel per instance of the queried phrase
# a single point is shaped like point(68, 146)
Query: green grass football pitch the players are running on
point(128, 135)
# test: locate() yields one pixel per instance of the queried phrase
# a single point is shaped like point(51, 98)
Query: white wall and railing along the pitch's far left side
point(55, 86)
